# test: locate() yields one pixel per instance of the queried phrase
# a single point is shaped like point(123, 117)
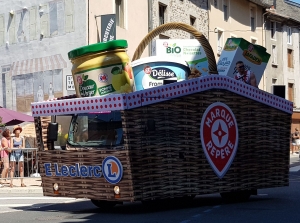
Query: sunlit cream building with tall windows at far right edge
point(282, 38)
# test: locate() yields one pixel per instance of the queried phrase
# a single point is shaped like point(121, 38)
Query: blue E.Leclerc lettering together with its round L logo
point(111, 169)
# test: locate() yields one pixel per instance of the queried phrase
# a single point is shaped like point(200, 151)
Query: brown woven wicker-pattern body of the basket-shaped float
point(170, 162)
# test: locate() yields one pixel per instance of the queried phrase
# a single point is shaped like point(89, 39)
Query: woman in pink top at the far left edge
point(6, 149)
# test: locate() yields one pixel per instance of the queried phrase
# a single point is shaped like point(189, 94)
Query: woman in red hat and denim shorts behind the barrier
point(17, 155)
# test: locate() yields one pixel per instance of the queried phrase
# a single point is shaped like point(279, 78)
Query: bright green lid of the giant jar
point(98, 47)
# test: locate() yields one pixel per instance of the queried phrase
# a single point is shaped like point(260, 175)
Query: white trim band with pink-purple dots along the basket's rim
point(162, 93)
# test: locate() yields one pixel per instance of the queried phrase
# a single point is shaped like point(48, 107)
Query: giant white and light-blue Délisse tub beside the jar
point(156, 71)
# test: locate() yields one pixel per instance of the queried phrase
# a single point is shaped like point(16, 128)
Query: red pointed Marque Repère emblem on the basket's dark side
point(219, 137)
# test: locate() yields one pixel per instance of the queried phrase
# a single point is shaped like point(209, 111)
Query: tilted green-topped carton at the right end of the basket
point(243, 61)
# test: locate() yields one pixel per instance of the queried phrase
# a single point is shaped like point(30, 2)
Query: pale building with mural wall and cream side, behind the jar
point(35, 37)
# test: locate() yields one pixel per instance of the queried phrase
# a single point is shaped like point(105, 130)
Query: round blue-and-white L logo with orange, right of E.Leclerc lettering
point(112, 169)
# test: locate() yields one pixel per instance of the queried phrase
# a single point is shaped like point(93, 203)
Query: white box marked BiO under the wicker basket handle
point(189, 50)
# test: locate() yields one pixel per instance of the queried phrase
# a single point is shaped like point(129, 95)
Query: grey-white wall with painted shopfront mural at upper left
point(66, 19)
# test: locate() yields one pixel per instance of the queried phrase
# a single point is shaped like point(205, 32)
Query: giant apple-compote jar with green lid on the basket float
point(101, 69)
